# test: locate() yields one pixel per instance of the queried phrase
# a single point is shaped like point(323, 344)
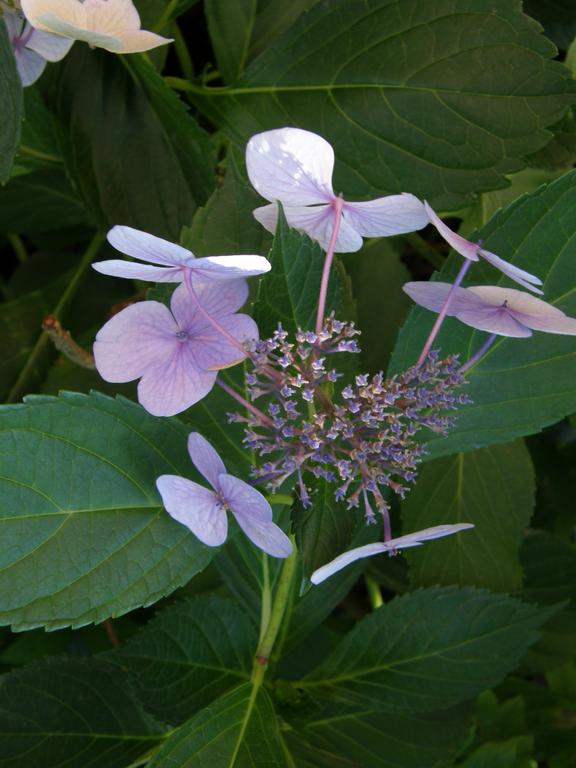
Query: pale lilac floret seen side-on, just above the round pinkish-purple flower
point(172, 260)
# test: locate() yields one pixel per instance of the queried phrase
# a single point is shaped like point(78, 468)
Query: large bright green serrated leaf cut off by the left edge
point(84, 533)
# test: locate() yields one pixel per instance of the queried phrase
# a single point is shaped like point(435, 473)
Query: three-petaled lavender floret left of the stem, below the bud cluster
point(204, 510)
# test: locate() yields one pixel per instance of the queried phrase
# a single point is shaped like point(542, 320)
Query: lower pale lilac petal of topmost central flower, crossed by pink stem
point(316, 221)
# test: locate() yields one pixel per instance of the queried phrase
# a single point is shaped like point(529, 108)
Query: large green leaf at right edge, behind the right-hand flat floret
point(521, 385)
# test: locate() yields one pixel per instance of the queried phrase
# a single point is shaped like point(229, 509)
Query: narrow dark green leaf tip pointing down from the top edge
point(230, 27)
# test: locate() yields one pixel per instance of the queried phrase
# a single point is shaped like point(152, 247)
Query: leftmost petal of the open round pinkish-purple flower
point(138, 337)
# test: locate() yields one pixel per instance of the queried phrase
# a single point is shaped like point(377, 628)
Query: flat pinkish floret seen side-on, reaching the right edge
point(503, 311)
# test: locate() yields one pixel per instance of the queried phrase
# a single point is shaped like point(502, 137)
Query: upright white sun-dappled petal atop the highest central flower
point(291, 165)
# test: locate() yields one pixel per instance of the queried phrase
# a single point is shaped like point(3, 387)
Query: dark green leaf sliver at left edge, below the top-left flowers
point(10, 105)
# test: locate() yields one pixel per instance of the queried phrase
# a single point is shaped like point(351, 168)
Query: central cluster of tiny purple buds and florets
point(361, 436)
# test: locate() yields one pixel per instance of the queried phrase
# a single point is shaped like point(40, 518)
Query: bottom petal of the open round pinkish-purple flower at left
point(175, 384)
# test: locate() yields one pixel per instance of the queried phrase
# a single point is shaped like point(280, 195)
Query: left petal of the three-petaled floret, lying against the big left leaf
point(195, 507)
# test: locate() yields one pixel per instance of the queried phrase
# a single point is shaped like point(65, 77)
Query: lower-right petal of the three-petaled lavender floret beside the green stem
point(254, 516)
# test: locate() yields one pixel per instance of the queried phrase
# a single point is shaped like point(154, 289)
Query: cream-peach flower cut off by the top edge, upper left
point(110, 24)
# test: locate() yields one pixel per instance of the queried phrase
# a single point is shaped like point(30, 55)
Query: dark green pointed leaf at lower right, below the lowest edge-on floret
point(428, 650)
